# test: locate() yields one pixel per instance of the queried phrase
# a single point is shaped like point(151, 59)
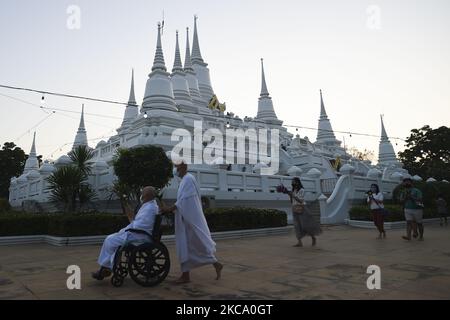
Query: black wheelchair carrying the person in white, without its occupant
point(147, 262)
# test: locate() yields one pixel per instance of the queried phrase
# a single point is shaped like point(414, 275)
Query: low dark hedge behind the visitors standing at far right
point(396, 213)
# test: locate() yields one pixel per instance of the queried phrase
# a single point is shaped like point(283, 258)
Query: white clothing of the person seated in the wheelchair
point(144, 220)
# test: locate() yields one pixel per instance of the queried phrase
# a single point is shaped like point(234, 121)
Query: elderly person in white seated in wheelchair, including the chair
point(136, 249)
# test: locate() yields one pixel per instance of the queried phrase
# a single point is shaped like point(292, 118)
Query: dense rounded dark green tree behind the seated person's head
point(139, 167)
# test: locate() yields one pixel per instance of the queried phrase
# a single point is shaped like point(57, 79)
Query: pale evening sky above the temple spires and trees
point(397, 66)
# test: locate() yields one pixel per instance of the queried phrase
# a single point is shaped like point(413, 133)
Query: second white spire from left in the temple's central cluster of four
point(180, 84)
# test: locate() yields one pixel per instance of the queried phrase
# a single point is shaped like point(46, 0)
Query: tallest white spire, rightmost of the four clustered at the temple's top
point(201, 69)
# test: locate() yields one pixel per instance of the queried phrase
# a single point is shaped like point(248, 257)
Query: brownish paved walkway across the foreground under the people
point(257, 268)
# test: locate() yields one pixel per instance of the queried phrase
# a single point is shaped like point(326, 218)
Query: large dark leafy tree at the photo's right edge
point(428, 153)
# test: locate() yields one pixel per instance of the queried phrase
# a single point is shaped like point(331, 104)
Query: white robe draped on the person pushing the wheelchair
point(195, 246)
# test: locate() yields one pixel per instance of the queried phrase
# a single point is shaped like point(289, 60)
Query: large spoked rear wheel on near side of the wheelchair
point(149, 264)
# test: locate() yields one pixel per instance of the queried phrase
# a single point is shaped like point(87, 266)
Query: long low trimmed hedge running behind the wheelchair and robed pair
point(93, 224)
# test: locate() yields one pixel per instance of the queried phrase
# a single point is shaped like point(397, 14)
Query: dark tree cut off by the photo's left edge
point(12, 162)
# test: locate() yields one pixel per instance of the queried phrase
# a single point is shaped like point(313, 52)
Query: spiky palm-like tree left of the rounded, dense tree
point(69, 184)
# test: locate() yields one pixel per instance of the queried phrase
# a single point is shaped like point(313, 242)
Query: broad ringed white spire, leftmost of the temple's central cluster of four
point(158, 90)
